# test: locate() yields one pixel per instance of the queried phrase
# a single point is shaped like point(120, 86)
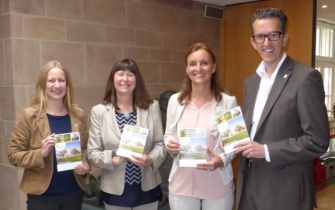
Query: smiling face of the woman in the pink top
point(200, 67)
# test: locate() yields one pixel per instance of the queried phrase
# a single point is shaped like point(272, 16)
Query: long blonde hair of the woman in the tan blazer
point(39, 96)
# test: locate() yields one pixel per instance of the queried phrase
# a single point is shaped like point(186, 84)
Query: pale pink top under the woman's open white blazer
point(191, 181)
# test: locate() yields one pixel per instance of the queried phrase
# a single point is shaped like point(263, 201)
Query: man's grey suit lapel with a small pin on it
point(282, 77)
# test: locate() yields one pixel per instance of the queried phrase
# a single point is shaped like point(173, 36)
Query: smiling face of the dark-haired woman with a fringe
point(125, 82)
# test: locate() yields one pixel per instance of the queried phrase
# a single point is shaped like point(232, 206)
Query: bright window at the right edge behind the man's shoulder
point(325, 61)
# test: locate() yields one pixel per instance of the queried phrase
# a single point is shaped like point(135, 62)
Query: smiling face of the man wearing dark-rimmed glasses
point(270, 51)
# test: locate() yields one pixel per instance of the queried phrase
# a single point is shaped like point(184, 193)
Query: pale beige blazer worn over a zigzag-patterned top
point(104, 140)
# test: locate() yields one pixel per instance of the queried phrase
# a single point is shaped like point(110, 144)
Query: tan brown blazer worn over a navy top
point(25, 148)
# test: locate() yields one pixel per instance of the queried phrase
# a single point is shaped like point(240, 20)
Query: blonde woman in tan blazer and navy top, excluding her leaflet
point(33, 139)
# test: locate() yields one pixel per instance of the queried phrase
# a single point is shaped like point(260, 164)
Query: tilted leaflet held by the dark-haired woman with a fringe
point(132, 141)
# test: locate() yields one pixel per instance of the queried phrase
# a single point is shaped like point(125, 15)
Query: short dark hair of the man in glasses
point(270, 12)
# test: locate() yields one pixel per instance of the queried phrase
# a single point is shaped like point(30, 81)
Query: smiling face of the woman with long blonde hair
point(56, 85)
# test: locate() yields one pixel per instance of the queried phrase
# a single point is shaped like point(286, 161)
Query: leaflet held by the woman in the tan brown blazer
point(68, 151)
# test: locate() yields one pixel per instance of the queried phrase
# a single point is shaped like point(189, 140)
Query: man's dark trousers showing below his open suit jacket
point(247, 200)
